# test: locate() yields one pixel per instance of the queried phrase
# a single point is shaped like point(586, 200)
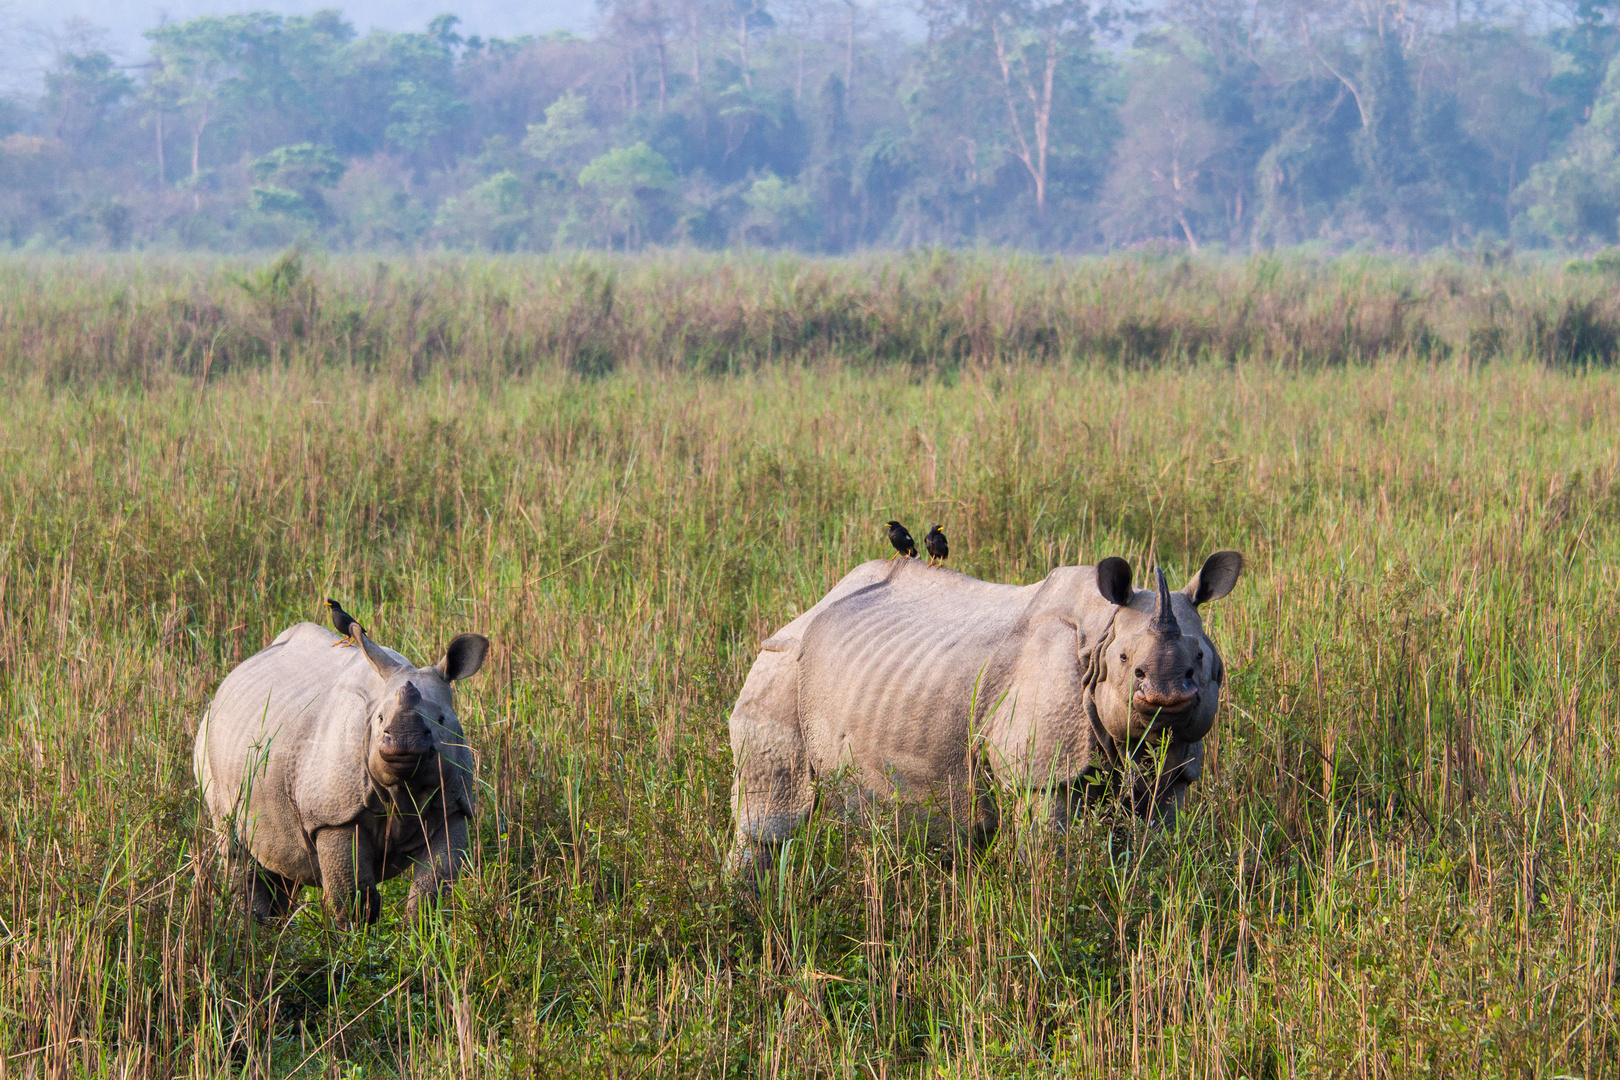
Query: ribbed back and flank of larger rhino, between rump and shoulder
point(893, 673)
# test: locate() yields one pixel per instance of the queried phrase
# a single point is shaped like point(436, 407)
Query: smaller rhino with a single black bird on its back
point(339, 768)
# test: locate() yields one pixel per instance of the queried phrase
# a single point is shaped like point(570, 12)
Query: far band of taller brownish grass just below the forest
point(140, 318)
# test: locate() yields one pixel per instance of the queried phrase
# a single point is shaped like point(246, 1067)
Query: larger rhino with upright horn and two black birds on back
point(932, 686)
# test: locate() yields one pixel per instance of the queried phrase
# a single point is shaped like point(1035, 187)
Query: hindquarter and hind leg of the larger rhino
point(770, 793)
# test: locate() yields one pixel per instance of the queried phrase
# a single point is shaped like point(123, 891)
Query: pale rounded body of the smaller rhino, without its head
point(283, 747)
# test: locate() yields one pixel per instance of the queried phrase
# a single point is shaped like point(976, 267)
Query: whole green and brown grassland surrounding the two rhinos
point(1404, 857)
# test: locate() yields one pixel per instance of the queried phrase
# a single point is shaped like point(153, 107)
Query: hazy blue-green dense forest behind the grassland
point(838, 125)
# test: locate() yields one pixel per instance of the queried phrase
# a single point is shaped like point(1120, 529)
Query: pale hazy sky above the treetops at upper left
point(32, 25)
